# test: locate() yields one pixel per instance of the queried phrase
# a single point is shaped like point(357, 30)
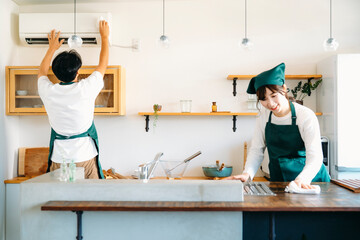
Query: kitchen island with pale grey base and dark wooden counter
point(332, 214)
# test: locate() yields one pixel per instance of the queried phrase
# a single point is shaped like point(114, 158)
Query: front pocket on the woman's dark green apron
point(291, 167)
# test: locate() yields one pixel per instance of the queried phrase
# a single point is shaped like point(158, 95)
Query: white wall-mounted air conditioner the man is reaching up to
point(34, 27)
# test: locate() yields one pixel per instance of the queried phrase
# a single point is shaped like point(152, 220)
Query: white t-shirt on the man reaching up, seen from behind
point(70, 109)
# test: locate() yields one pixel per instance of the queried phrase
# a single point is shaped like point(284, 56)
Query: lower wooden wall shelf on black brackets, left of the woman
point(233, 114)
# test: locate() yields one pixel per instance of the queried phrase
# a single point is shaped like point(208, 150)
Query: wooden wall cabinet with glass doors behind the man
point(22, 97)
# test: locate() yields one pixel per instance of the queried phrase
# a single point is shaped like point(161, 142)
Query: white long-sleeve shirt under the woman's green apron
point(310, 133)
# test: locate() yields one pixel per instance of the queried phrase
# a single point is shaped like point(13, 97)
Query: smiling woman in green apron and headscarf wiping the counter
point(288, 130)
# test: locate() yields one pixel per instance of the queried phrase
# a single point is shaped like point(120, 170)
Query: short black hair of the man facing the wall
point(66, 65)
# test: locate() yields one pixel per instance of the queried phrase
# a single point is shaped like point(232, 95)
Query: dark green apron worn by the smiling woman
point(287, 152)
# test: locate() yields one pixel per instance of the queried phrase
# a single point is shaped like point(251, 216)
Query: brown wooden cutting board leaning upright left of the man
point(32, 161)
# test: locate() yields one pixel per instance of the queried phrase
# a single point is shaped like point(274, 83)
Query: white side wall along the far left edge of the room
point(9, 126)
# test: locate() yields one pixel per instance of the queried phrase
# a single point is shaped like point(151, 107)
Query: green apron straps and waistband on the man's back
point(91, 132)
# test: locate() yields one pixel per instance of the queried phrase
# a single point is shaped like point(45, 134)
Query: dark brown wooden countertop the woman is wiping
point(332, 199)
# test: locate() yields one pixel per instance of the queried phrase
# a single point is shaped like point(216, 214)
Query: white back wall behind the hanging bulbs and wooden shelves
point(203, 52)
